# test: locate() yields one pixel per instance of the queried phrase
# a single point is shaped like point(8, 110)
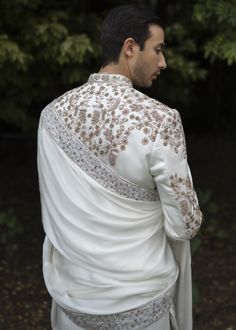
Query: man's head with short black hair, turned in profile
point(133, 39)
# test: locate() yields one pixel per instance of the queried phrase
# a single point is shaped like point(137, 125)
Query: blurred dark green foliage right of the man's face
point(201, 58)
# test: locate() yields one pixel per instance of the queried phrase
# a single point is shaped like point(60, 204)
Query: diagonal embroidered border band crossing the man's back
point(88, 161)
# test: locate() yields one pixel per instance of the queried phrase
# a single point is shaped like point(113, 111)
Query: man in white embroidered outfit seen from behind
point(118, 204)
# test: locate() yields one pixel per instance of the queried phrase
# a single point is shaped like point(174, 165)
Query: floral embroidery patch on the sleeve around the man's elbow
point(188, 202)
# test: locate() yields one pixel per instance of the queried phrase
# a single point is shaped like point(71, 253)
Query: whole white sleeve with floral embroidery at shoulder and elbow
point(169, 167)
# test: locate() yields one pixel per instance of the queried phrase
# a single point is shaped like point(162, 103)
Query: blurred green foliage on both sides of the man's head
point(48, 47)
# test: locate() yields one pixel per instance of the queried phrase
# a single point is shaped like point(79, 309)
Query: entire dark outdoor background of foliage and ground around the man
point(49, 47)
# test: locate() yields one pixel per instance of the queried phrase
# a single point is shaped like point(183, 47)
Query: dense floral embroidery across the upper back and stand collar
point(104, 112)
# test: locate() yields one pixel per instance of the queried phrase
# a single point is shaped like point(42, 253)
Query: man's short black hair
point(127, 21)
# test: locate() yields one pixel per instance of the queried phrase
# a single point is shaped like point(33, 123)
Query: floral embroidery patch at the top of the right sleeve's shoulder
point(172, 134)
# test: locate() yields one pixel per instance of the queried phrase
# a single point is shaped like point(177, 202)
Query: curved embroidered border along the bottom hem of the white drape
point(137, 318)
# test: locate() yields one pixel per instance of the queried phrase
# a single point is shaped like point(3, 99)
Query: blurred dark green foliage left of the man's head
point(45, 48)
